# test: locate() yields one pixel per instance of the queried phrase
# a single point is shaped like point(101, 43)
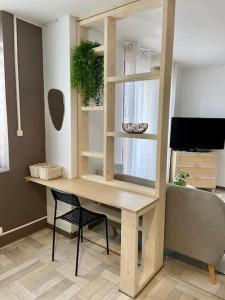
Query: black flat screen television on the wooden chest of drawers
point(197, 134)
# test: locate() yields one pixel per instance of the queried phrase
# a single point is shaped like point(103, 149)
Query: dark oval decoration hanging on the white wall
point(56, 107)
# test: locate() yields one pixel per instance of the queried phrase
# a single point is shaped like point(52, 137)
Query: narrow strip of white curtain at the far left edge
point(4, 153)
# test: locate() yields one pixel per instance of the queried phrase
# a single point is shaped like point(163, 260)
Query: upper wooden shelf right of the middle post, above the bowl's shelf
point(135, 77)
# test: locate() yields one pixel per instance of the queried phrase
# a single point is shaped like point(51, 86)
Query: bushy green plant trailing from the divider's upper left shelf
point(87, 72)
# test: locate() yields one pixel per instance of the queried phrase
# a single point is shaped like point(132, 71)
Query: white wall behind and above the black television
point(201, 93)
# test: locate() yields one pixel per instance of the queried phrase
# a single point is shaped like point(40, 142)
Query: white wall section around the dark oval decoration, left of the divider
point(58, 38)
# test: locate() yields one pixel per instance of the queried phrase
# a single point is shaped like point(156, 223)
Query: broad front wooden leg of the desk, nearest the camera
point(129, 253)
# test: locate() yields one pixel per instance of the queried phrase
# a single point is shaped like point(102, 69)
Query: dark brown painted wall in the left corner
point(21, 202)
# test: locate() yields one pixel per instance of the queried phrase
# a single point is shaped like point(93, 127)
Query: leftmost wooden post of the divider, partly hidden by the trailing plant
point(82, 126)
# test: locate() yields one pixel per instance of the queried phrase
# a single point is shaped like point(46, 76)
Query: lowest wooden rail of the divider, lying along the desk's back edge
point(136, 188)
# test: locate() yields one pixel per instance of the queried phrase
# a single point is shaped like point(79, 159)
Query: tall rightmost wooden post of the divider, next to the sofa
point(163, 119)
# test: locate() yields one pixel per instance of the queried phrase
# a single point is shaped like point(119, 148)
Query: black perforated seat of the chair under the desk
point(87, 216)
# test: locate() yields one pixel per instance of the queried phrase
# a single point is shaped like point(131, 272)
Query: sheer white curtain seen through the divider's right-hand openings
point(140, 105)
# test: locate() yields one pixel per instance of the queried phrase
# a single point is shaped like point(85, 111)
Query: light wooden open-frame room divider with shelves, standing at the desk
point(132, 278)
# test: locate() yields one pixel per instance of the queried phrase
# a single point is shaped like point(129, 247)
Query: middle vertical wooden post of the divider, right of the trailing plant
point(109, 94)
